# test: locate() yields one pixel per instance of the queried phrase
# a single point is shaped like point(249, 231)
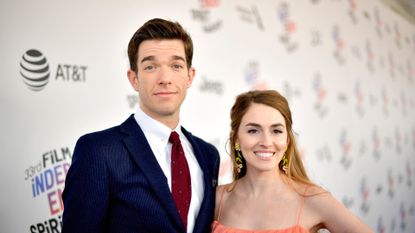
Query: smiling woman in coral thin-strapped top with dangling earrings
point(271, 191)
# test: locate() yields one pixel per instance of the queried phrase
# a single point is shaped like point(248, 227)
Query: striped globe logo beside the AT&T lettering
point(34, 69)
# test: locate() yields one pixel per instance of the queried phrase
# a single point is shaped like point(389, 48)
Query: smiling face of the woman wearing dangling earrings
point(262, 136)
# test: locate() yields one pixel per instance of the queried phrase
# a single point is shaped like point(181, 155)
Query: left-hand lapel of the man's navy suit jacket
point(141, 152)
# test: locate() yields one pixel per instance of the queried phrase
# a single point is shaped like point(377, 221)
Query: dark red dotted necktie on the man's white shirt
point(180, 176)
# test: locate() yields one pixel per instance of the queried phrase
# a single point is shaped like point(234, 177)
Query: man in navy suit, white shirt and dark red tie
point(122, 179)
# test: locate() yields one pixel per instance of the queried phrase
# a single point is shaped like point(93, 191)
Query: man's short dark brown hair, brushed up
point(159, 29)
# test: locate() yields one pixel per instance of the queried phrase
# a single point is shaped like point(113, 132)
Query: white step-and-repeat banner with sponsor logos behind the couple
point(347, 68)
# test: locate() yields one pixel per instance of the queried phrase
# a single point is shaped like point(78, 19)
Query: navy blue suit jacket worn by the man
point(115, 184)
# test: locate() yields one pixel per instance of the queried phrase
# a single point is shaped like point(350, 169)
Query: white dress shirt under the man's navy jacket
point(157, 135)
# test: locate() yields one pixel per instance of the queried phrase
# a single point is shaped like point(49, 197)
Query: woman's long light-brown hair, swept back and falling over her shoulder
point(275, 100)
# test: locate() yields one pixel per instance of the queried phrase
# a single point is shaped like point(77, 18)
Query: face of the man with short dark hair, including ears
point(162, 78)
